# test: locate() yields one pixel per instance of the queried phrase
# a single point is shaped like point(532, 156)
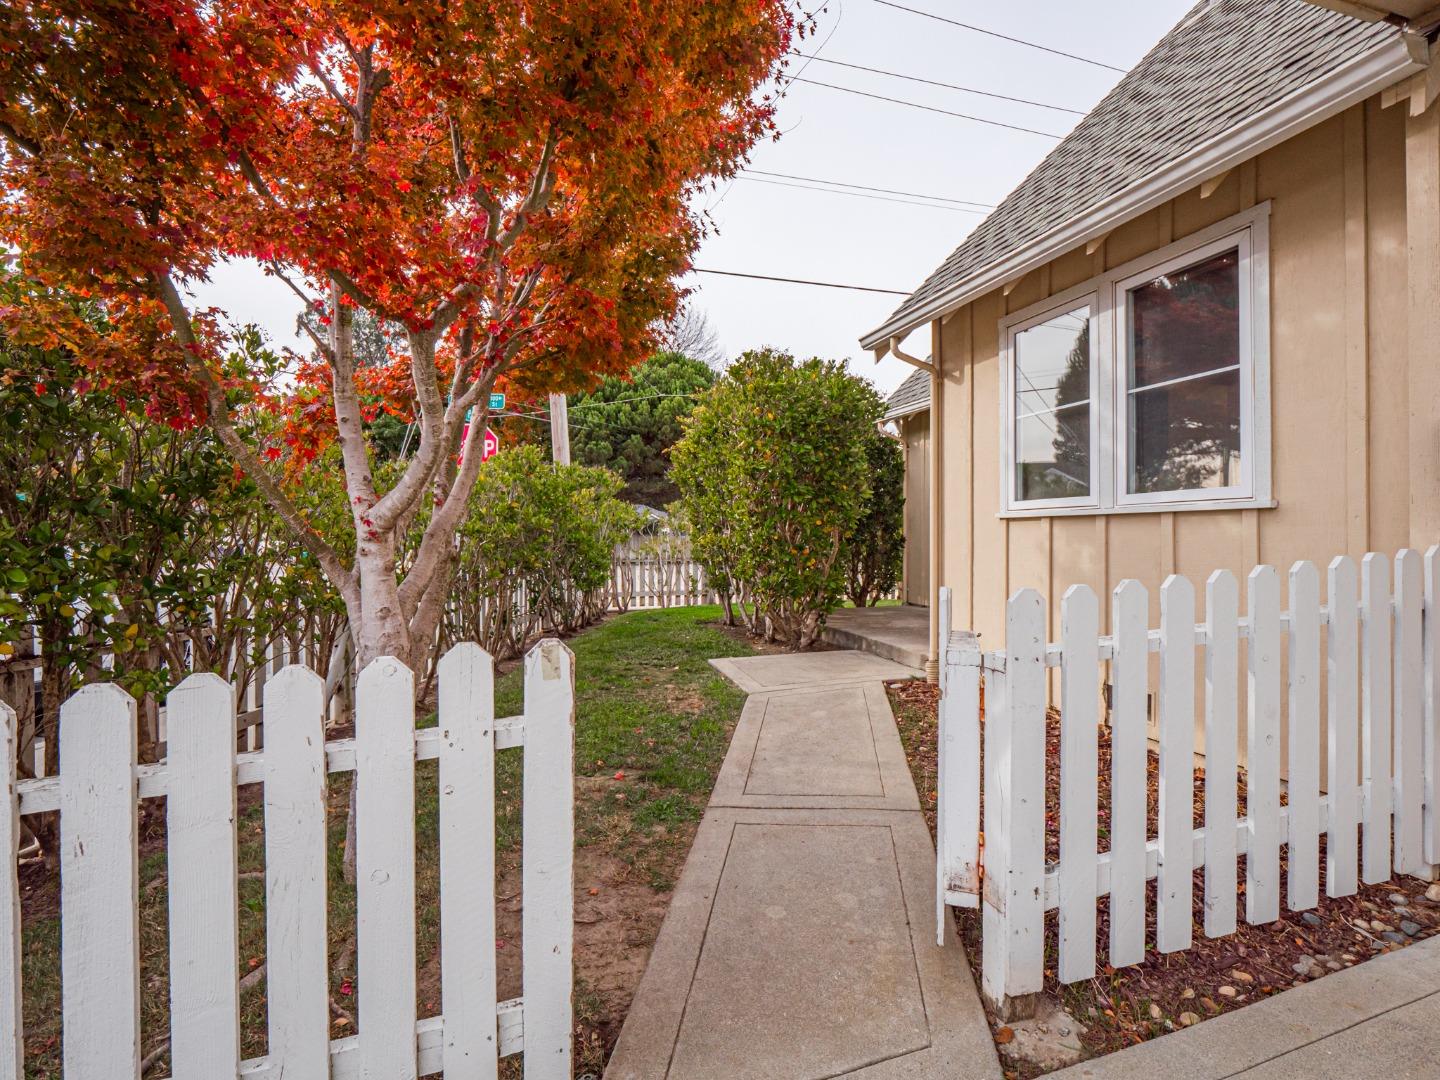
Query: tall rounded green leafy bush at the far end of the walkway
point(774, 476)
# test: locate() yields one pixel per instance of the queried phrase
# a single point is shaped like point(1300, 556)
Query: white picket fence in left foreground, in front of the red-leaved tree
point(97, 796)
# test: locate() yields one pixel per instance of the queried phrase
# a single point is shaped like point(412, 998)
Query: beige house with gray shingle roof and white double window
point(1205, 332)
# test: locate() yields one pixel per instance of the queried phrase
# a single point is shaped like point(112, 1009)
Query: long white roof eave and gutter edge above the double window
point(1350, 84)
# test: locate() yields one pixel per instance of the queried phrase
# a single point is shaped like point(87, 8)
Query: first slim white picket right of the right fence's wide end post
point(1079, 781)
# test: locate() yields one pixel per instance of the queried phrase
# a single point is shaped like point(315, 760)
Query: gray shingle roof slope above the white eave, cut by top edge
point(1223, 63)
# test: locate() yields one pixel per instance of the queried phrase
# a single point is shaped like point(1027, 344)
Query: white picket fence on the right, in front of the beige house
point(1372, 649)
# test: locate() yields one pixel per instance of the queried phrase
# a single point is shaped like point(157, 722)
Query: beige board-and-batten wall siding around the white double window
point(1343, 392)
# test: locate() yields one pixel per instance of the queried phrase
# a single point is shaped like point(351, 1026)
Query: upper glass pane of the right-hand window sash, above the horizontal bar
point(1186, 323)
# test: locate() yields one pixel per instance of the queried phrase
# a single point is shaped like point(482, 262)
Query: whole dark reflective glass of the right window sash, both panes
point(1184, 379)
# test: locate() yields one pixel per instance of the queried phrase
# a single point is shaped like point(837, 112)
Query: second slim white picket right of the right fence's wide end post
point(1130, 683)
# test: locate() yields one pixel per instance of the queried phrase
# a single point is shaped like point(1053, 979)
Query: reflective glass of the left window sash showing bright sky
point(1053, 408)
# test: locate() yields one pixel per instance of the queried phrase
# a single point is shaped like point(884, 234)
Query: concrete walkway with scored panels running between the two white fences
point(800, 942)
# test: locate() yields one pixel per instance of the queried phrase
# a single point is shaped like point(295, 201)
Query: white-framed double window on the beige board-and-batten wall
point(1146, 388)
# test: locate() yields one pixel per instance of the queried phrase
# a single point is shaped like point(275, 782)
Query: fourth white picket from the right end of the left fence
point(296, 974)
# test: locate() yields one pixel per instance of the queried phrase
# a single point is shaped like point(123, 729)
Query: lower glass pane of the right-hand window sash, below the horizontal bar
point(1187, 436)
